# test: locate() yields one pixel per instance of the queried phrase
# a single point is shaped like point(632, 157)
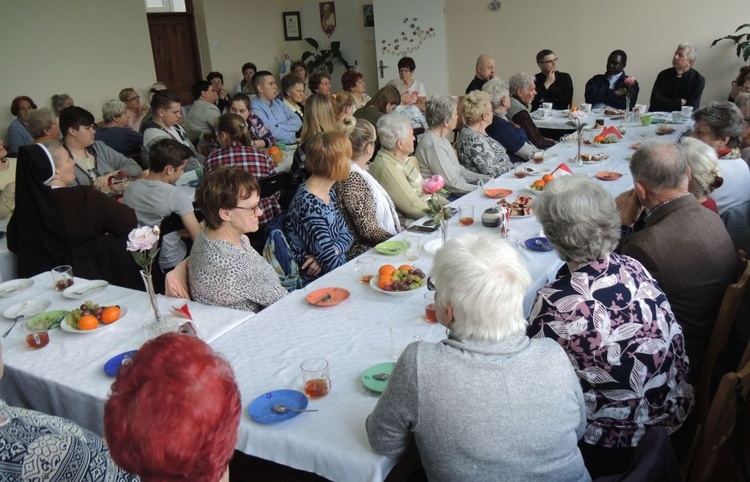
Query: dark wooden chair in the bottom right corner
point(726, 414)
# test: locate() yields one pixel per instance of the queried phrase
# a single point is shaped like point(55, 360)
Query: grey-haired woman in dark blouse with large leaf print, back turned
point(615, 324)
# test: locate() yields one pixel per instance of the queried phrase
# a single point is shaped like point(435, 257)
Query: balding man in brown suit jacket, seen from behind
point(683, 245)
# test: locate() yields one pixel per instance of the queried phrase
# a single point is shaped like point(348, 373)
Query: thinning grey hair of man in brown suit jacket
point(660, 165)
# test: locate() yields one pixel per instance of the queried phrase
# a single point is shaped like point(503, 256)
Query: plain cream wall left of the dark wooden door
point(90, 49)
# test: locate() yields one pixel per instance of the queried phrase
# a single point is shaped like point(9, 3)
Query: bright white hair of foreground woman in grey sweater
point(484, 281)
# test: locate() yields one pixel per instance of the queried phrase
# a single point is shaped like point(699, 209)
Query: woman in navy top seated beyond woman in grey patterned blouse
point(507, 133)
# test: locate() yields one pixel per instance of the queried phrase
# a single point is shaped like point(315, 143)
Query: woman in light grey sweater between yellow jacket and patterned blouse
point(435, 152)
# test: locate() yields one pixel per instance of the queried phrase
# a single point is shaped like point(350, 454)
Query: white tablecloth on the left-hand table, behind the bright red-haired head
point(66, 377)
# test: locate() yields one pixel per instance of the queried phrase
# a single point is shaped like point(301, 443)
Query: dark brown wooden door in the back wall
point(175, 47)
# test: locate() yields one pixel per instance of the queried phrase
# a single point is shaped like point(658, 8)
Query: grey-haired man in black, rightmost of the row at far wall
point(680, 84)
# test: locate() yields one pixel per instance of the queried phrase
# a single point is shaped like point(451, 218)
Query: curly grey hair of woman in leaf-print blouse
point(579, 218)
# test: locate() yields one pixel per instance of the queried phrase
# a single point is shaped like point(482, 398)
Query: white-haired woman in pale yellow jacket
point(396, 170)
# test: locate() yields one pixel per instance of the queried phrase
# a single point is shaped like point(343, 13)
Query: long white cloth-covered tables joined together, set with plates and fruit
point(65, 378)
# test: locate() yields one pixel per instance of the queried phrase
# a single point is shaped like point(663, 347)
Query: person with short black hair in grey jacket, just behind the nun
point(95, 162)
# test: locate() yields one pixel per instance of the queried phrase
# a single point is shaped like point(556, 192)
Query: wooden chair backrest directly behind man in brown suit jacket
point(719, 335)
